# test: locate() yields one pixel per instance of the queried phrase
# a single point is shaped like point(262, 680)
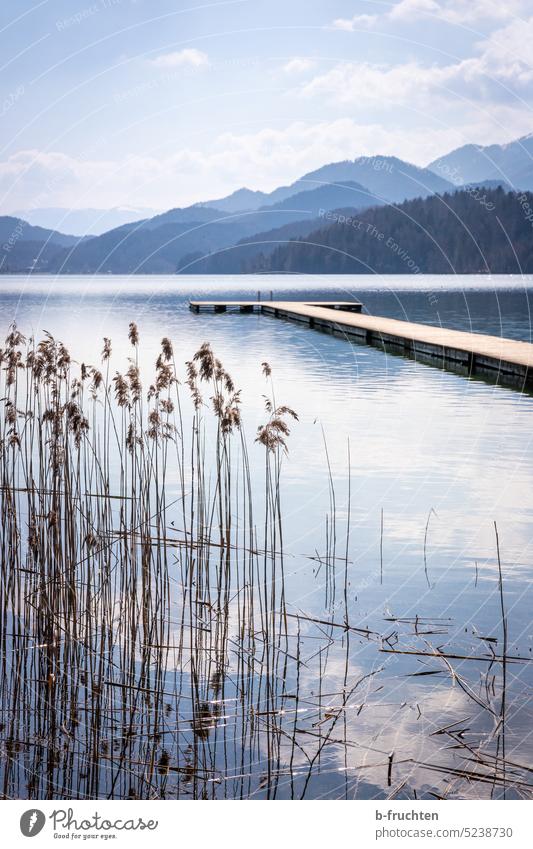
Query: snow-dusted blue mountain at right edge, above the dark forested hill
point(512, 162)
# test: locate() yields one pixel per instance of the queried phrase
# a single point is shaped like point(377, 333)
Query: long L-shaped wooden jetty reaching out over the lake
point(477, 354)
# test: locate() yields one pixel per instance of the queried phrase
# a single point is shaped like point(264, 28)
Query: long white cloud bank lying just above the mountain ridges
point(259, 160)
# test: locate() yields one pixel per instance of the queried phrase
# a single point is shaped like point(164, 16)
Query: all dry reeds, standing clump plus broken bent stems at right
point(149, 646)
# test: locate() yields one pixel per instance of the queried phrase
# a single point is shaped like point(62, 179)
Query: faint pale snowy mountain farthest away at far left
point(84, 222)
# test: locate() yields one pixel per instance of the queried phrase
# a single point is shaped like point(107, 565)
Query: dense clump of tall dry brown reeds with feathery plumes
point(121, 556)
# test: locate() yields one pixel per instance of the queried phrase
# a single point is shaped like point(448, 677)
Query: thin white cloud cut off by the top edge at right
point(452, 11)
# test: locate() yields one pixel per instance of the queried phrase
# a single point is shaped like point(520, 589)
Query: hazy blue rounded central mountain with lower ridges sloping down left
point(164, 243)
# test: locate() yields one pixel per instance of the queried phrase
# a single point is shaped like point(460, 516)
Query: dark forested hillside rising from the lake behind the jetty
point(466, 232)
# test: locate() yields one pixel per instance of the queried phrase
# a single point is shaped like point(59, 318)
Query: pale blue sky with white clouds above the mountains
point(158, 103)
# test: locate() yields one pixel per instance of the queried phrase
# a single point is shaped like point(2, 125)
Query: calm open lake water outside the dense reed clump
point(436, 461)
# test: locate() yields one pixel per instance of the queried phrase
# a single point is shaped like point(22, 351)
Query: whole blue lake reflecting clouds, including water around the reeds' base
point(399, 482)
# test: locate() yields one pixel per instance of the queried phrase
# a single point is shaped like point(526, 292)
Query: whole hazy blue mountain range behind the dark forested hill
point(240, 232)
